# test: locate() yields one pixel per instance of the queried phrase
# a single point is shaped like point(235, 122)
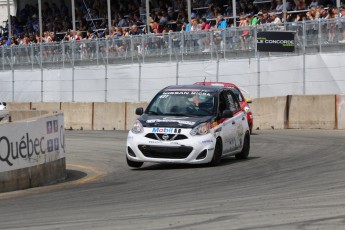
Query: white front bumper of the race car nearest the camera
point(184, 148)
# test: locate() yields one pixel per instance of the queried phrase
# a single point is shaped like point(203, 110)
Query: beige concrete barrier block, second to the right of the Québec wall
point(109, 116)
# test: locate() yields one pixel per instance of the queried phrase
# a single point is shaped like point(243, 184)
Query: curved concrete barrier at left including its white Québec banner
point(32, 151)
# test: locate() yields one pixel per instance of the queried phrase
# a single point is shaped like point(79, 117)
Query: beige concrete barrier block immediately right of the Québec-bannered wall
point(78, 115)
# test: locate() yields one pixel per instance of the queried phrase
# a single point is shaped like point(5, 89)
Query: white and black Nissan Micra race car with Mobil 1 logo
point(193, 124)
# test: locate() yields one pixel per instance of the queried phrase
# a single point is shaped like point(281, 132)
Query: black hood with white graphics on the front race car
point(172, 121)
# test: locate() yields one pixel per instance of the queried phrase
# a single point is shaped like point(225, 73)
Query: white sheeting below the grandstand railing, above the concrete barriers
point(279, 76)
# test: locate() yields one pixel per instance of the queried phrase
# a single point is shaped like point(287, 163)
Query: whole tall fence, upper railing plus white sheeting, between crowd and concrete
point(100, 71)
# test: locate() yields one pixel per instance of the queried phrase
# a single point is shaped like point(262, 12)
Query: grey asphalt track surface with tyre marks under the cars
point(294, 179)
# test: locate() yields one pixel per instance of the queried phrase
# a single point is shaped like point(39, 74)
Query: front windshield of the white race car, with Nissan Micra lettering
point(183, 103)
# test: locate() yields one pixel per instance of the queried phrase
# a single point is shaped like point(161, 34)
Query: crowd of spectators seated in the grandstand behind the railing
point(128, 18)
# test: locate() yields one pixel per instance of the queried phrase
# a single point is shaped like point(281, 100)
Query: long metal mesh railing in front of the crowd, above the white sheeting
point(319, 34)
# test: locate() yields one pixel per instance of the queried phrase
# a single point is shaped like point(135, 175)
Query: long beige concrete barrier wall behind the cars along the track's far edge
point(294, 112)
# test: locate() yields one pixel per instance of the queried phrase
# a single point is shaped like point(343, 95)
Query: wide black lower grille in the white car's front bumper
point(167, 152)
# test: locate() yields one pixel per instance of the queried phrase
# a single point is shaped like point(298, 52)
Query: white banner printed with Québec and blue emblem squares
point(30, 143)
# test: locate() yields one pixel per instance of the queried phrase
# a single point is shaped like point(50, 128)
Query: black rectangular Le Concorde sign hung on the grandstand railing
point(276, 41)
